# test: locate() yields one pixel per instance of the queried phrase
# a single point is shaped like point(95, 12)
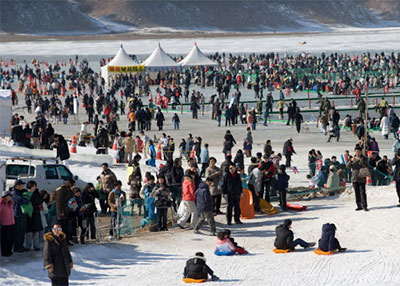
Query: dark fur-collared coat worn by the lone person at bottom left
point(56, 254)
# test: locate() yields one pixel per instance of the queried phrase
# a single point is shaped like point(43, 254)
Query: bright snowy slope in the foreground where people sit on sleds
point(159, 258)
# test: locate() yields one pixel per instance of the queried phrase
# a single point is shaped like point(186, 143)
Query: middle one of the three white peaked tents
point(160, 61)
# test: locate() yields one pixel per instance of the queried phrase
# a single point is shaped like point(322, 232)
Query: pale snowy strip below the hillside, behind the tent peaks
point(344, 40)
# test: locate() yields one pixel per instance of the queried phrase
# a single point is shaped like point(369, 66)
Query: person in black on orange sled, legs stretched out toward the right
point(284, 237)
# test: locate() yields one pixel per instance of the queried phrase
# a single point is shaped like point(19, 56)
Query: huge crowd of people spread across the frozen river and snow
point(68, 215)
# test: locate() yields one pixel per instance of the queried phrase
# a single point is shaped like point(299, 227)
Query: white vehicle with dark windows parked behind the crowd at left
point(48, 176)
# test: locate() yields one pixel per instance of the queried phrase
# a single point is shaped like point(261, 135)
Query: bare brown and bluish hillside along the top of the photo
point(94, 16)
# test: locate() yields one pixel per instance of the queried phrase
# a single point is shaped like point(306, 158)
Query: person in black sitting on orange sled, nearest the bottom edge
point(196, 268)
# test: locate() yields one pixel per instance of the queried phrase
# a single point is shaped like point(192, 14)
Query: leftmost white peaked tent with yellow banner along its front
point(121, 63)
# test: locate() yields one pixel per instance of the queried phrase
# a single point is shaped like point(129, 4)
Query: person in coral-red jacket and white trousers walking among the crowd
point(188, 201)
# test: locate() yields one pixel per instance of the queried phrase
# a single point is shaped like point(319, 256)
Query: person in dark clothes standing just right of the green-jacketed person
point(34, 223)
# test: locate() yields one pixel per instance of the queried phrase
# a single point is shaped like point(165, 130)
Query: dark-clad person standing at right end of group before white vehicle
point(89, 209)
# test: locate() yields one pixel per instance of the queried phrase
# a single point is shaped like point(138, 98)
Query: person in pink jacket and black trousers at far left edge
point(7, 223)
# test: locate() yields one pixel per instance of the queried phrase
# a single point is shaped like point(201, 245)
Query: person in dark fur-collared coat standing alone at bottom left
point(56, 256)
